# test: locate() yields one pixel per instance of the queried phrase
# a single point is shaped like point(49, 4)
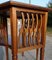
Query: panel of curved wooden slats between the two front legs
point(30, 29)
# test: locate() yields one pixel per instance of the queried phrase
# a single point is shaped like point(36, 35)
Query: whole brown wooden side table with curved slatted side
point(32, 33)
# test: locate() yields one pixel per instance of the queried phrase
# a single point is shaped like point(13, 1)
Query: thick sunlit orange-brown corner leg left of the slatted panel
point(13, 32)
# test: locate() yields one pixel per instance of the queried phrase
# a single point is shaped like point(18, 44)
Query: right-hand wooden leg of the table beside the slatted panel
point(43, 35)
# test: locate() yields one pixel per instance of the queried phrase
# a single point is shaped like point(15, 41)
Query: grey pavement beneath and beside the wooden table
point(30, 55)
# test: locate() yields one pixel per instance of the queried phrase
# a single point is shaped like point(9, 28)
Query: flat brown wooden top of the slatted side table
point(23, 5)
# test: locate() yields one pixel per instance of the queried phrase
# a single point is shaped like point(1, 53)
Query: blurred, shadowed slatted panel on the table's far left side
point(3, 30)
